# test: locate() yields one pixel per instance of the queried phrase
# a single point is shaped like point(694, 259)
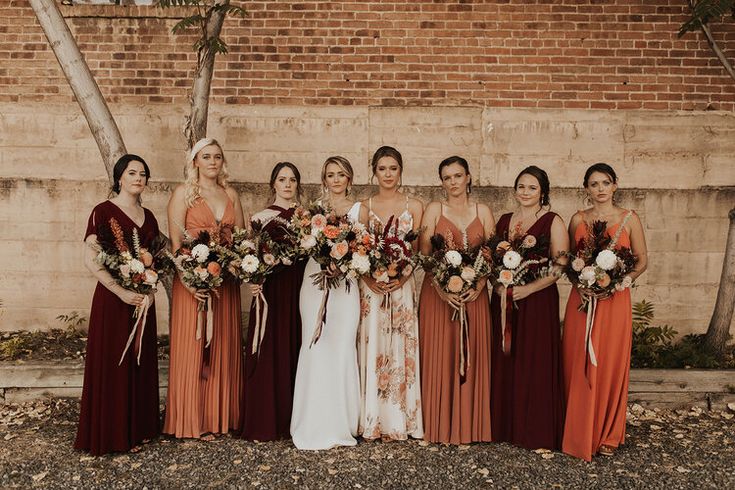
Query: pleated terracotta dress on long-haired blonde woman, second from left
point(200, 402)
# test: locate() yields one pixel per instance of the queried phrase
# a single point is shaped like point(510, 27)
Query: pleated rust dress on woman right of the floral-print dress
point(454, 412)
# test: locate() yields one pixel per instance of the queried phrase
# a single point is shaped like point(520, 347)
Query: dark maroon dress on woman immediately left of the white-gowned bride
point(270, 374)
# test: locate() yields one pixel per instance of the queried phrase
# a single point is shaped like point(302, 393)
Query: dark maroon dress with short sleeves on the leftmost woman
point(119, 405)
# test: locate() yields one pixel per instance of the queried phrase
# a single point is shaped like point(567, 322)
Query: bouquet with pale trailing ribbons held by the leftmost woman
point(133, 267)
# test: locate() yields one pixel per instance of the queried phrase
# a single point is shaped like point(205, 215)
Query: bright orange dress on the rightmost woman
point(596, 407)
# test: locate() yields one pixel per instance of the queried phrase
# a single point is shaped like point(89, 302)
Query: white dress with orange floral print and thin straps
point(388, 353)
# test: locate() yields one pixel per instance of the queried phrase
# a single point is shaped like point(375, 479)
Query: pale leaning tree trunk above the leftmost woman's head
point(88, 95)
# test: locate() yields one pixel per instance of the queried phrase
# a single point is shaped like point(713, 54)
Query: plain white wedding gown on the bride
point(326, 406)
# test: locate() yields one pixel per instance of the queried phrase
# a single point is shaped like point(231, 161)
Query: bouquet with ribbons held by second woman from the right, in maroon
point(517, 260)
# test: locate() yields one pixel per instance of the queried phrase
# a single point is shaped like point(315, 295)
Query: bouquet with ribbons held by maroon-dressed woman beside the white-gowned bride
point(251, 257)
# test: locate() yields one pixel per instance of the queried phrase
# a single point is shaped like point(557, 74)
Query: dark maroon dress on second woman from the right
point(527, 400)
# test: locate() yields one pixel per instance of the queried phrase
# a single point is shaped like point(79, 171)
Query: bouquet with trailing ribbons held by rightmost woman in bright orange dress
point(598, 269)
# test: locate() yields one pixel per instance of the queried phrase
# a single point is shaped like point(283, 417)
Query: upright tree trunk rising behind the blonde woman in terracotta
point(196, 126)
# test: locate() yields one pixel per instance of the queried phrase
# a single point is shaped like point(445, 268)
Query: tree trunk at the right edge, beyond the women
point(718, 332)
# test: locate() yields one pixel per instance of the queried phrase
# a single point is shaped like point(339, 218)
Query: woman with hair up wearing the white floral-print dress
point(388, 336)
